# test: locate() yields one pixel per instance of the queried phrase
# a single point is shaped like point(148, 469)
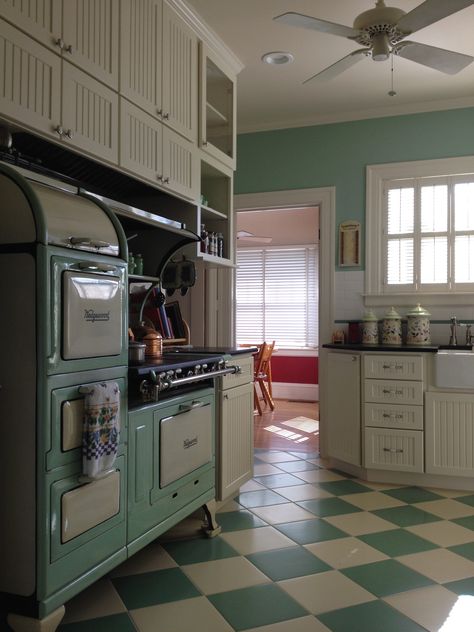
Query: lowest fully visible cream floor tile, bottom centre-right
point(325, 591)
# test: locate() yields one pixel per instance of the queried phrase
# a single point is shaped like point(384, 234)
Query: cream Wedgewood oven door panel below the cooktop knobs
point(185, 443)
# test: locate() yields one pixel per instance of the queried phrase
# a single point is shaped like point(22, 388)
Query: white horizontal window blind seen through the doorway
point(277, 296)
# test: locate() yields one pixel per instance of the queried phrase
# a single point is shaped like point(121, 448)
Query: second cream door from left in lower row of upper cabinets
point(90, 114)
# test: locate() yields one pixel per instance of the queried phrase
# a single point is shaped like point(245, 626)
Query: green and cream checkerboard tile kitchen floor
point(303, 548)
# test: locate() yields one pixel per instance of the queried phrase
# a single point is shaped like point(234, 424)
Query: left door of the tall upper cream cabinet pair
point(140, 53)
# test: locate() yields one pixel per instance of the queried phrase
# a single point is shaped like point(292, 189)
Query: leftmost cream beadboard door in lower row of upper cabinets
point(30, 81)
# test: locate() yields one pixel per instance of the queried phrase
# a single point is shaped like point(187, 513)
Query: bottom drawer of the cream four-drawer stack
point(400, 450)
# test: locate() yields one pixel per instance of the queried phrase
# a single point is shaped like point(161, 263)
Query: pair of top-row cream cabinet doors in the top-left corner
point(86, 31)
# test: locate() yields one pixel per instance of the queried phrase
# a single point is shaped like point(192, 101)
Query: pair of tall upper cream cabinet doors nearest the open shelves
point(158, 64)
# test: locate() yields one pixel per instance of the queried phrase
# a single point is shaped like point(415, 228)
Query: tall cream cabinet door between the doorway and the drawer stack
point(343, 404)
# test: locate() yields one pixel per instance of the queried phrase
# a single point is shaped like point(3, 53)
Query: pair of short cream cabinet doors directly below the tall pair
point(154, 152)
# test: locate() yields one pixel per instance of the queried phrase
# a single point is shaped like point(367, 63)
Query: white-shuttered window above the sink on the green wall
point(428, 234)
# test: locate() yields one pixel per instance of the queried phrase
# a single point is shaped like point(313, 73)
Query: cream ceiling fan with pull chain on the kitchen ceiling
point(382, 32)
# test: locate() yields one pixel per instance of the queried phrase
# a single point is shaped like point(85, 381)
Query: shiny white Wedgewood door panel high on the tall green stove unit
point(92, 315)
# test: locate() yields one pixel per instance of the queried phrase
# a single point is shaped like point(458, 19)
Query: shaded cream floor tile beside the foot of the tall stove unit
point(99, 600)
